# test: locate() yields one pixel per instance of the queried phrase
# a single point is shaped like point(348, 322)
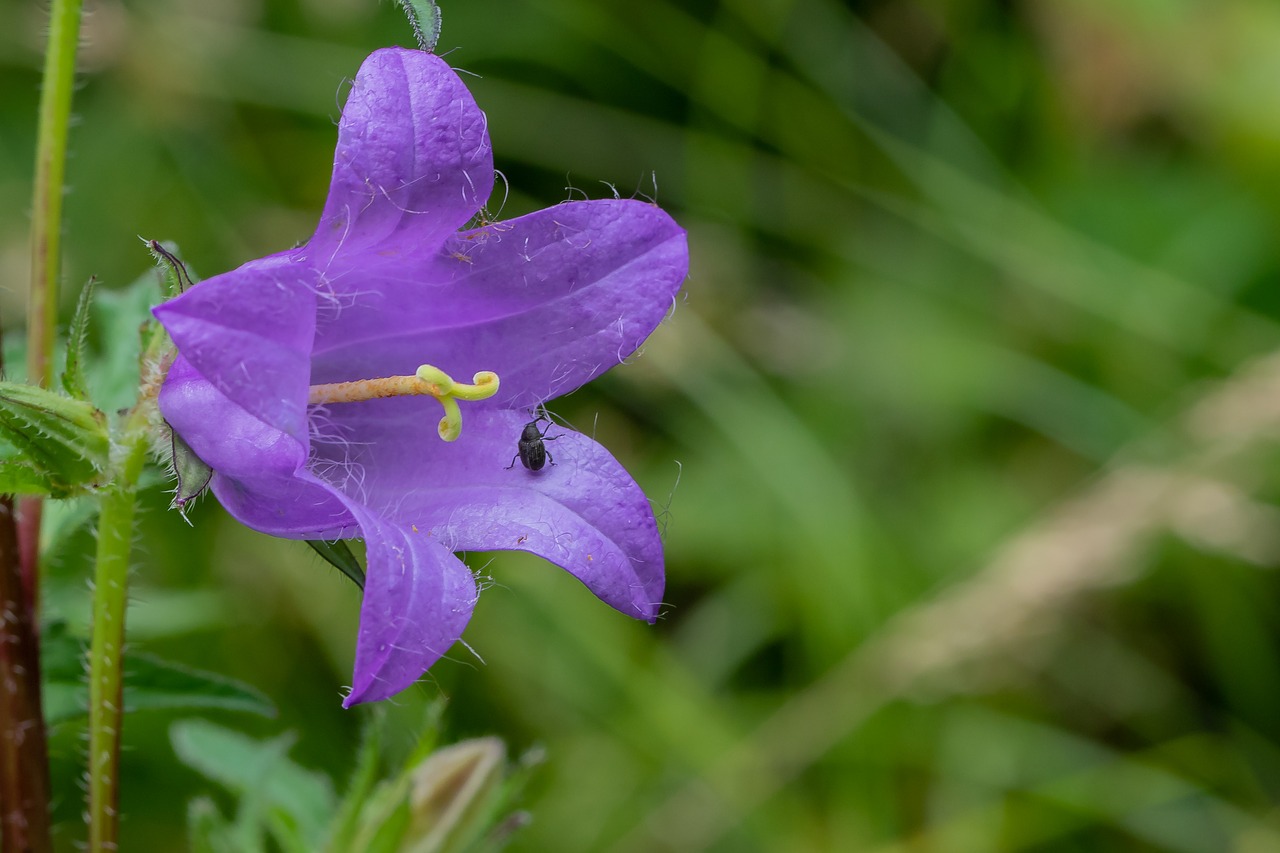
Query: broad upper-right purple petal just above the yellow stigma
point(547, 302)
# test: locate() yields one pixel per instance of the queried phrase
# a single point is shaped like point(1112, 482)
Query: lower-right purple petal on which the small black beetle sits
point(584, 513)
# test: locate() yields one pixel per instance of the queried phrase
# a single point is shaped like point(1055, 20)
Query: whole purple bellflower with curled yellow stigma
point(312, 381)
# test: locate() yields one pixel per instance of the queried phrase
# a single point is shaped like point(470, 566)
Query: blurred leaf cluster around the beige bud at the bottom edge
point(442, 801)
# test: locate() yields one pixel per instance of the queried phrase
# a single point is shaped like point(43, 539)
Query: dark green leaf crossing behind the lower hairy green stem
point(150, 683)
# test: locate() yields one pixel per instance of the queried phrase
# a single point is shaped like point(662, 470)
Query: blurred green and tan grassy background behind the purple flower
point(964, 435)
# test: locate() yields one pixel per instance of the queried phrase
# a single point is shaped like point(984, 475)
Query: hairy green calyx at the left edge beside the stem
point(62, 441)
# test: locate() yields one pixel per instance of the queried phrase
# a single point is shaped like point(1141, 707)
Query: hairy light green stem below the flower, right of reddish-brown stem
point(107, 649)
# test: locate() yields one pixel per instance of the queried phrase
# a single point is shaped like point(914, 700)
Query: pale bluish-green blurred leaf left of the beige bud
point(294, 804)
